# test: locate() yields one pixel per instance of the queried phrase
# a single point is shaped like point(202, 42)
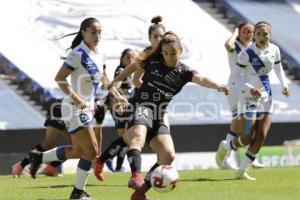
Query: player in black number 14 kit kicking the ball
point(164, 77)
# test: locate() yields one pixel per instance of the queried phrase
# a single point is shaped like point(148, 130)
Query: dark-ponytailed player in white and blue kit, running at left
point(84, 65)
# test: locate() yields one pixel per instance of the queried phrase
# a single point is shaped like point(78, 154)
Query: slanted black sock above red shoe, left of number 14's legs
point(113, 149)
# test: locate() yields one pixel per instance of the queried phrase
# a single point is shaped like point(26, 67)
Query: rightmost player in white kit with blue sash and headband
point(257, 61)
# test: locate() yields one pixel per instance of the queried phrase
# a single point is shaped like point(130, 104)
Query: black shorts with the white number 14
point(145, 116)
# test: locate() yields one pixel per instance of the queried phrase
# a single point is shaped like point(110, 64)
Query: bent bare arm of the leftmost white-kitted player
point(61, 80)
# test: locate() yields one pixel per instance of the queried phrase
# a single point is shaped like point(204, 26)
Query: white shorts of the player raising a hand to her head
point(233, 99)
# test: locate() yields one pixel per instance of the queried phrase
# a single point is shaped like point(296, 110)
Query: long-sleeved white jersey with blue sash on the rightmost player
point(256, 66)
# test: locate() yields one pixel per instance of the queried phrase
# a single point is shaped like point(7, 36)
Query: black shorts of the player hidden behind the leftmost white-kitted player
point(53, 116)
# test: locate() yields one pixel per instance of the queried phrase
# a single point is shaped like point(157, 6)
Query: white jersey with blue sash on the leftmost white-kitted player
point(87, 68)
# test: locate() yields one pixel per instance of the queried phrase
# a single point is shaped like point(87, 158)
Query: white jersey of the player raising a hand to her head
point(234, 76)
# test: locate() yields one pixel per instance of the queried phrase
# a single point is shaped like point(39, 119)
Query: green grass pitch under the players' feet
point(271, 184)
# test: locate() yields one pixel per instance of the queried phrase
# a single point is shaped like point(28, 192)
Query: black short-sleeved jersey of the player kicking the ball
point(161, 83)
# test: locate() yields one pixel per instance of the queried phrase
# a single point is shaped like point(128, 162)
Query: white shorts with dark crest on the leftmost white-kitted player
point(74, 118)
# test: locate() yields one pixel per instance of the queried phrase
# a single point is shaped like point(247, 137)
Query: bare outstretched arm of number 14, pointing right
point(206, 82)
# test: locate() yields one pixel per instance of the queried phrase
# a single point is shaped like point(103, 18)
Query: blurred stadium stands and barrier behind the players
point(30, 57)
